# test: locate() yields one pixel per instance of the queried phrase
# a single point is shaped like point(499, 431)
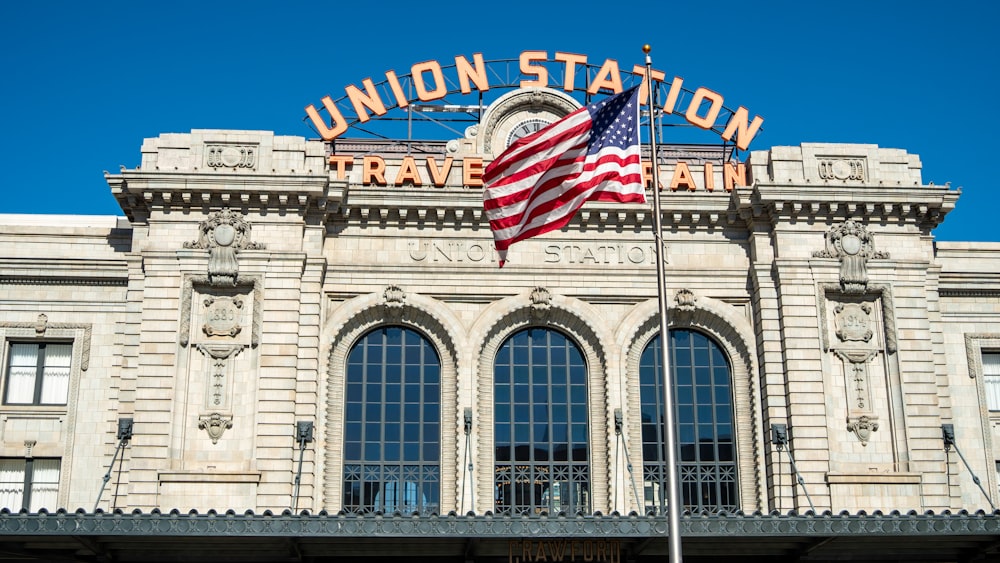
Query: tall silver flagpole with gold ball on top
point(670, 433)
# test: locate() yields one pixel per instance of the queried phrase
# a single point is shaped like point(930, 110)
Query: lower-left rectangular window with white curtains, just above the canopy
point(29, 484)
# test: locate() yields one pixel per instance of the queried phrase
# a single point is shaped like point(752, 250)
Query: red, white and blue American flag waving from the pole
point(540, 181)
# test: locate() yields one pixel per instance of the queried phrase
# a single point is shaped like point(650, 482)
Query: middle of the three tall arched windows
point(541, 438)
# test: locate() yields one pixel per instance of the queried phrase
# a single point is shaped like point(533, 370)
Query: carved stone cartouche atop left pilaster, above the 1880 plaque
point(223, 233)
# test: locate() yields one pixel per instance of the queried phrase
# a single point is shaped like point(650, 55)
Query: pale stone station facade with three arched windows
point(259, 285)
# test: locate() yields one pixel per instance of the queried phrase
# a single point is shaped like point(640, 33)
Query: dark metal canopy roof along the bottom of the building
point(155, 536)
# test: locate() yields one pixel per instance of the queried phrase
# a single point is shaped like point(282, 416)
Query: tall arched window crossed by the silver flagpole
point(703, 398)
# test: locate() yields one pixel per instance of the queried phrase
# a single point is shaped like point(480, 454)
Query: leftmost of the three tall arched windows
point(392, 429)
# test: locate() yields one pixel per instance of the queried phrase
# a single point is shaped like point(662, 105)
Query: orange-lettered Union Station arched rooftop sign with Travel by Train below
point(535, 74)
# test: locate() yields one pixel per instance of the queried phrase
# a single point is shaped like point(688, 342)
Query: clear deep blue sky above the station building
point(85, 83)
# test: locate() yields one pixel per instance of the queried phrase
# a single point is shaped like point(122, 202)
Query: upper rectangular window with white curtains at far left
point(38, 373)
